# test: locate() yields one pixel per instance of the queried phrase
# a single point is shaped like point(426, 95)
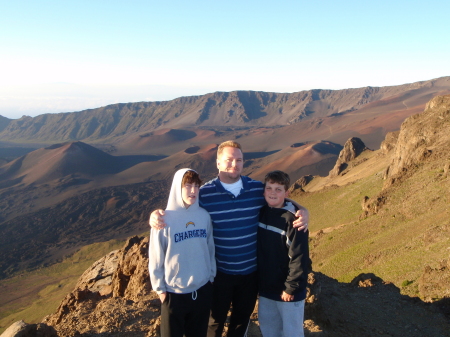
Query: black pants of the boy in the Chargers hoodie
point(186, 314)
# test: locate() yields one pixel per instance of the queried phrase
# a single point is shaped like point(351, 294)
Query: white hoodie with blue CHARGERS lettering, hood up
point(181, 256)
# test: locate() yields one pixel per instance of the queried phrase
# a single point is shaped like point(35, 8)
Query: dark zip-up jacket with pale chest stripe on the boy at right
point(283, 254)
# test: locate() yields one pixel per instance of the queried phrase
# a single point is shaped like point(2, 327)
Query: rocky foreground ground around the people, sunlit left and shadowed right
point(114, 298)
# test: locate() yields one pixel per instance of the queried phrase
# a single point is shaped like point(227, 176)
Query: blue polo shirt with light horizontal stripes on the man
point(235, 223)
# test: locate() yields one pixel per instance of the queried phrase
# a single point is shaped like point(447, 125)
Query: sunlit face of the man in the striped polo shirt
point(230, 164)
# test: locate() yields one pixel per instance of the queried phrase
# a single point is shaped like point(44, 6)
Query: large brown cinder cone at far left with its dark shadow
point(47, 176)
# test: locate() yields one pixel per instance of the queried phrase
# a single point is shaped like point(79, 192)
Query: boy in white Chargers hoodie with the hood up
point(182, 264)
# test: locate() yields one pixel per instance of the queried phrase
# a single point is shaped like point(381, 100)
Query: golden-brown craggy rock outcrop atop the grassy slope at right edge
point(424, 137)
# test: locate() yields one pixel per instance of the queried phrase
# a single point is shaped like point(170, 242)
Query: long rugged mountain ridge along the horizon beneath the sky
point(222, 111)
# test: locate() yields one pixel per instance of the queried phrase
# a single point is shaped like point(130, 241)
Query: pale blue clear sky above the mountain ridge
point(61, 56)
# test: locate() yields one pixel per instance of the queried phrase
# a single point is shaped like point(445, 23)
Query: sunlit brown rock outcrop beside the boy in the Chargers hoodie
point(113, 296)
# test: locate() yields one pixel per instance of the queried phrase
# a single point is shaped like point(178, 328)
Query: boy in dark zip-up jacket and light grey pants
point(283, 262)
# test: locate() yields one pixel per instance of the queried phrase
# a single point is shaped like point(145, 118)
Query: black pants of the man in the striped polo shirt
point(238, 291)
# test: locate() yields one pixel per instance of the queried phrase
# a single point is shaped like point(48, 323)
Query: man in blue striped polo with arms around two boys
point(233, 202)
